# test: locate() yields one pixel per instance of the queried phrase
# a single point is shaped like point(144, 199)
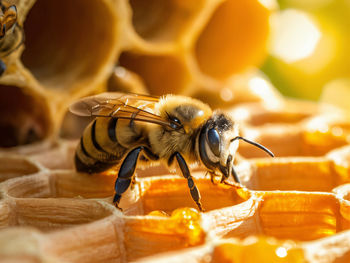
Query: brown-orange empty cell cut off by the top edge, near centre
point(163, 21)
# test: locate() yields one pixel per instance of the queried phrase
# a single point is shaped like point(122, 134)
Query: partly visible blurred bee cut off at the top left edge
point(11, 34)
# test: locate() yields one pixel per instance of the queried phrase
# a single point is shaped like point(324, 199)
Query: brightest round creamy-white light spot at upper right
point(294, 35)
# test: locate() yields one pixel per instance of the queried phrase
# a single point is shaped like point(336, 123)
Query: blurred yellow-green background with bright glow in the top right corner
point(309, 49)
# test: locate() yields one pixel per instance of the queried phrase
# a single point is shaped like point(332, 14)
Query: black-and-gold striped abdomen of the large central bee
point(102, 145)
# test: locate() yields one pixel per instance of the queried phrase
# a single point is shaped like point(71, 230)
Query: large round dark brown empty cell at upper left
point(61, 37)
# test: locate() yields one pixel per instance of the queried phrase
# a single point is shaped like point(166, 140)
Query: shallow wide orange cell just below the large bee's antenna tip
point(302, 174)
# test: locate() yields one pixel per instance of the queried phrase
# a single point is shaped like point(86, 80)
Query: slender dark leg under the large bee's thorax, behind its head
point(186, 173)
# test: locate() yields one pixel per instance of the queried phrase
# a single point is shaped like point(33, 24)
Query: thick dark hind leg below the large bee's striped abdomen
point(126, 172)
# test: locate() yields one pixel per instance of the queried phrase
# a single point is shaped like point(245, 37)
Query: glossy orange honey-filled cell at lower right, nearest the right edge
point(301, 216)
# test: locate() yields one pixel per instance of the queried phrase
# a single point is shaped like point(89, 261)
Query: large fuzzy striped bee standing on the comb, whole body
point(130, 127)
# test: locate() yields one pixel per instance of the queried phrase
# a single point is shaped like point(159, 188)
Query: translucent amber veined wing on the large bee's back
point(122, 106)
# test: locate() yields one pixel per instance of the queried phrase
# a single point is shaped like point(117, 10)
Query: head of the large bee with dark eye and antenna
point(218, 143)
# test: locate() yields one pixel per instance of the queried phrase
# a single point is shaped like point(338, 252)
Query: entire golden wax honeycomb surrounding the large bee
point(292, 208)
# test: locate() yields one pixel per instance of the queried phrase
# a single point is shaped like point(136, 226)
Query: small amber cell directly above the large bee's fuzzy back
point(162, 74)
